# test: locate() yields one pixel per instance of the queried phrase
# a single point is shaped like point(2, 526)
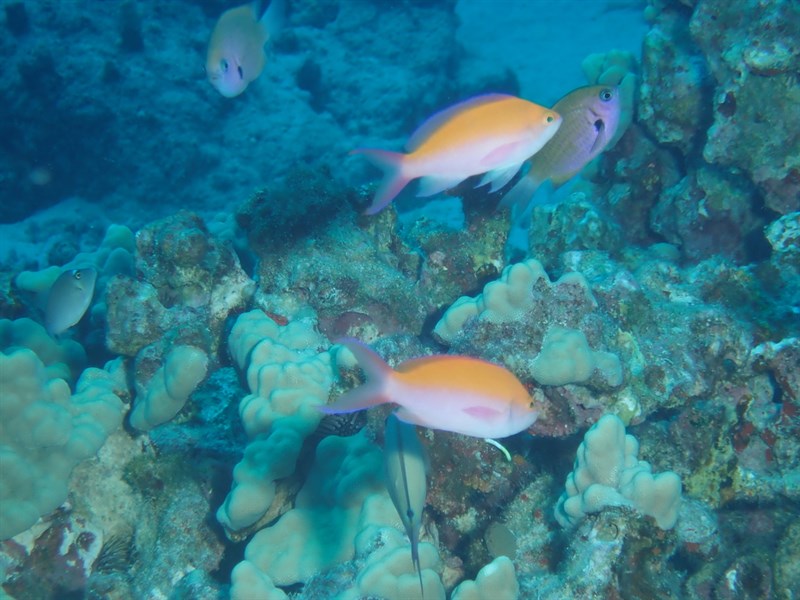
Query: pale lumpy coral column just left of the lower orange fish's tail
point(288, 373)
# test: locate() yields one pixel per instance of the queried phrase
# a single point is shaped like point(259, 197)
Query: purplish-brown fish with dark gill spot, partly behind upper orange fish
point(590, 118)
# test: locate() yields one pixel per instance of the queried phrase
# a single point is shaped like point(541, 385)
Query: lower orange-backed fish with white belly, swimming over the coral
point(451, 393)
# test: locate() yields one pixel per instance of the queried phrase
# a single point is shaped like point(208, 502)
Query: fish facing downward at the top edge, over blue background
point(236, 48)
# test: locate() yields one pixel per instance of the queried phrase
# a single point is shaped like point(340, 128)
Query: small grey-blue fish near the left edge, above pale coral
point(68, 299)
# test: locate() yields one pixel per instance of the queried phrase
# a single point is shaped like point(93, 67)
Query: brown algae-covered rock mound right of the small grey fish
point(188, 283)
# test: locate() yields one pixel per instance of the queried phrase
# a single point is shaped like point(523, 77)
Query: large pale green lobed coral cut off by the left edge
point(46, 430)
